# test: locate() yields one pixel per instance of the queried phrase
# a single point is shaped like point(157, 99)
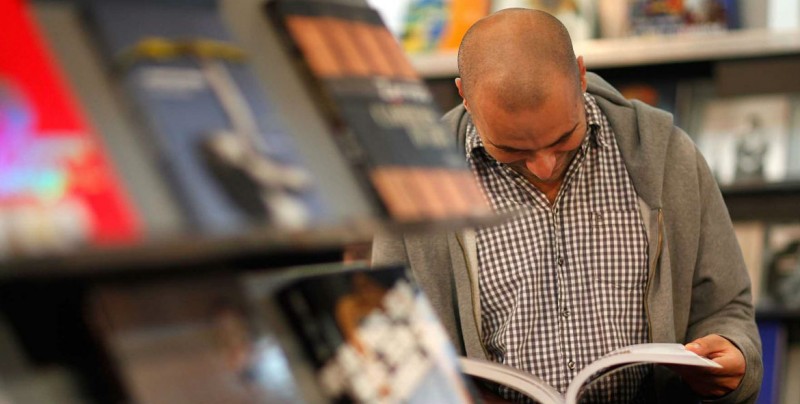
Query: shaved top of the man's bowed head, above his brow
point(514, 56)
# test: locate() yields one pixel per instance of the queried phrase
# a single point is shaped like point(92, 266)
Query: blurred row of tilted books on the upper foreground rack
point(191, 106)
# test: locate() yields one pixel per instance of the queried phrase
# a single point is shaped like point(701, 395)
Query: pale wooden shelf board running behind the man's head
point(650, 50)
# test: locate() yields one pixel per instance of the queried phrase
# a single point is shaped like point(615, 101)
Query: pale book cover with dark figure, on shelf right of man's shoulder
point(745, 139)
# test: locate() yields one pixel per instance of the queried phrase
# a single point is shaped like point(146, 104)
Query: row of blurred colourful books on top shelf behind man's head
point(439, 25)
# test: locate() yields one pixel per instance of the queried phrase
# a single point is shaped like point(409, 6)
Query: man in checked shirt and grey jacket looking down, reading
point(623, 238)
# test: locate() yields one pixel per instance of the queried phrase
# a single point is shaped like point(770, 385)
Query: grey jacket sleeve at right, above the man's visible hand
point(721, 295)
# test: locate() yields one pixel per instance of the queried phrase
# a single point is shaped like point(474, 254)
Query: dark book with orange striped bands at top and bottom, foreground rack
point(378, 109)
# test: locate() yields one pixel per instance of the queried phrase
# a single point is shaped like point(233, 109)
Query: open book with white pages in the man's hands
point(537, 389)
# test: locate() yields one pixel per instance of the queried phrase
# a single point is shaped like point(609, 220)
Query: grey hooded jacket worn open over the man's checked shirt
point(698, 284)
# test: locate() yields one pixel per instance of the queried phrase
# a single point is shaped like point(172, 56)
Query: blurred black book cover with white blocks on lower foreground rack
point(369, 334)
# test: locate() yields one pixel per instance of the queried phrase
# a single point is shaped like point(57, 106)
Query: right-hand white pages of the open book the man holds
point(674, 354)
